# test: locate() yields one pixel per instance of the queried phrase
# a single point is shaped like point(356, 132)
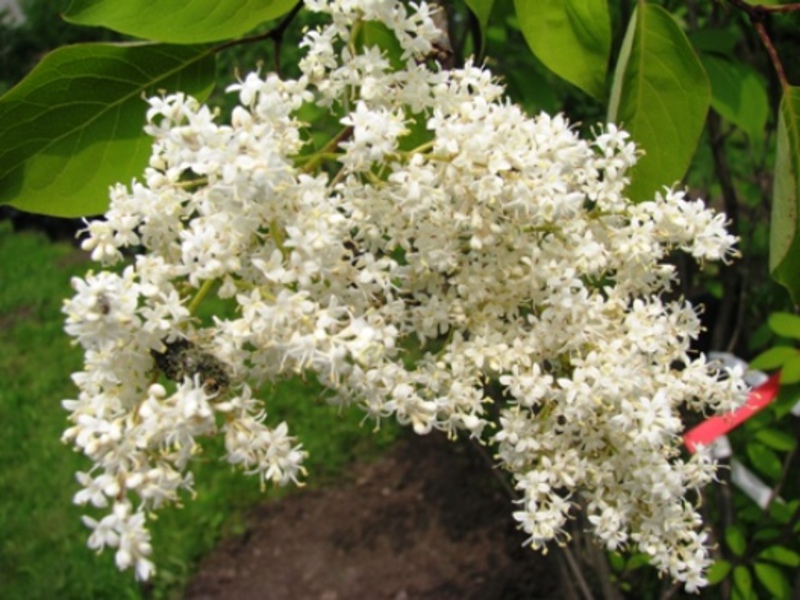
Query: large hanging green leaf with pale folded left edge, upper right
point(661, 96)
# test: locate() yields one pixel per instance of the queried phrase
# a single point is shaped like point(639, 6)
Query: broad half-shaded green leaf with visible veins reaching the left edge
point(73, 126)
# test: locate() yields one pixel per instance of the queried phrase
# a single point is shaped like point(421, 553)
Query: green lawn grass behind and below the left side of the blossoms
point(43, 551)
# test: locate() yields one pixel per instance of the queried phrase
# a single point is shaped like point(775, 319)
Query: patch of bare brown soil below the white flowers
point(427, 521)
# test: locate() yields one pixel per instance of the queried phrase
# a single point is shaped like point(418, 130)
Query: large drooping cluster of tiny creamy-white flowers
point(502, 245)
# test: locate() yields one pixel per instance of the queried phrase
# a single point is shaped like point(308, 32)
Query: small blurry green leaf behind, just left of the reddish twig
point(738, 94)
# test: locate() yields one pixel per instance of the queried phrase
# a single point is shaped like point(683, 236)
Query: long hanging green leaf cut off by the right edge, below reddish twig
point(784, 242)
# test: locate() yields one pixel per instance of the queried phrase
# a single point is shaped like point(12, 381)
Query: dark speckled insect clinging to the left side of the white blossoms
point(183, 358)
